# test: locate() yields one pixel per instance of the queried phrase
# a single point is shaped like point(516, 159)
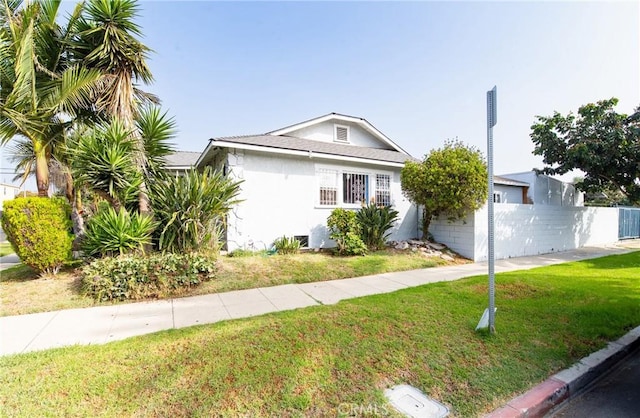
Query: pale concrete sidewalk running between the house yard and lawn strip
point(103, 324)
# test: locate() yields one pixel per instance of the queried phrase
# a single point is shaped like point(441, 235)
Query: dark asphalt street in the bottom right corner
point(615, 395)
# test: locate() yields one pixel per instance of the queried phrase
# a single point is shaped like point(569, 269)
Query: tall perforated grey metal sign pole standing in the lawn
point(491, 121)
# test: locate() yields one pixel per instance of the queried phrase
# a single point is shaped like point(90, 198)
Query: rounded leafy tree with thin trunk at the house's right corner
point(451, 180)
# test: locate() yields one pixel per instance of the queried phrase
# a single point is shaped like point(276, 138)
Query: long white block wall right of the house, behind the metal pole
point(522, 230)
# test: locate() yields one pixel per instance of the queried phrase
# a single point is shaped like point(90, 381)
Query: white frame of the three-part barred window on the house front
point(339, 172)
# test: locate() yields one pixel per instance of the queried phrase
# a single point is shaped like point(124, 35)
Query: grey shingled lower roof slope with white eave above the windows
point(283, 144)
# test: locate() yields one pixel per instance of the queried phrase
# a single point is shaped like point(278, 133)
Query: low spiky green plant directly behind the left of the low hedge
point(115, 233)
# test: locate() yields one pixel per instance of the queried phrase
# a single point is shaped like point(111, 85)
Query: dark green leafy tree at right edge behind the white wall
point(604, 144)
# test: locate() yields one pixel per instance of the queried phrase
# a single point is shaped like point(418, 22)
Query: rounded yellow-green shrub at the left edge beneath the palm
point(39, 231)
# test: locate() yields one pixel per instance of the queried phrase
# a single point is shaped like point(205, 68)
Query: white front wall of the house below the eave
point(280, 198)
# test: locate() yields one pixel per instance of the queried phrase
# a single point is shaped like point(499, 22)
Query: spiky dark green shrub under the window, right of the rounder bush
point(374, 222)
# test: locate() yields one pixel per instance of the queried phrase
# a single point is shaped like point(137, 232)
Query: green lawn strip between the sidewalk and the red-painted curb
point(327, 360)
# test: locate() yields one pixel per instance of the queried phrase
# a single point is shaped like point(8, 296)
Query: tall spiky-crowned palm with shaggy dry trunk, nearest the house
point(106, 39)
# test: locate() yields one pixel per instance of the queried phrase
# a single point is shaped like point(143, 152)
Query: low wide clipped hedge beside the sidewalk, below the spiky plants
point(154, 276)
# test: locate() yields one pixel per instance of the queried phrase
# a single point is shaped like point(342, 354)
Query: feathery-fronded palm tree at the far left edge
point(40, 90)
